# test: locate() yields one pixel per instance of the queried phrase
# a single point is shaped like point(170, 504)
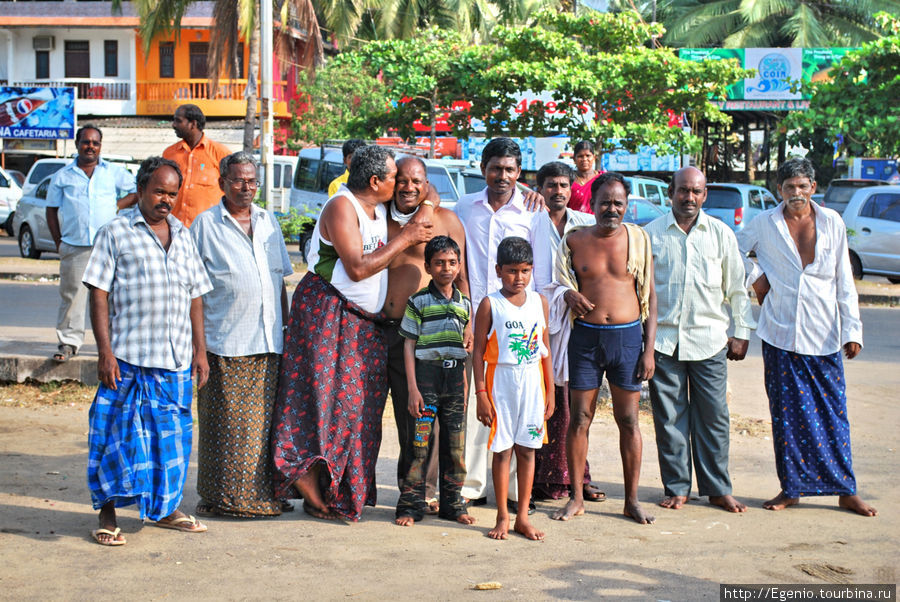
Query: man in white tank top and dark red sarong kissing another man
point(334, 377)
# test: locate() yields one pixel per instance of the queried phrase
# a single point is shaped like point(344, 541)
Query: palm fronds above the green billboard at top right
point(773, 23)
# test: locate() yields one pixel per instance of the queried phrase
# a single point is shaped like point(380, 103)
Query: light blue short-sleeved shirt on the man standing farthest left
point(86, 204)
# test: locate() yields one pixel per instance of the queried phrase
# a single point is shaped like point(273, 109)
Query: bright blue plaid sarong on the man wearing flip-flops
point(140, 440)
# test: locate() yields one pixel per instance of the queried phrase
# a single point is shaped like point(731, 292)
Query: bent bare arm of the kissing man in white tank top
point(340, 225)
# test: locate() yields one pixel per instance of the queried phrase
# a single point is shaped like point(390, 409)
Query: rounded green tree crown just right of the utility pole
point(342, 102)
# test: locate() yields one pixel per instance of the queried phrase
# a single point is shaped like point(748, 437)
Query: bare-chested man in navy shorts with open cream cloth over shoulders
point(609, 270)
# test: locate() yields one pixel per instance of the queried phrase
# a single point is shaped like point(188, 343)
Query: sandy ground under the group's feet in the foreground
point(46, 551)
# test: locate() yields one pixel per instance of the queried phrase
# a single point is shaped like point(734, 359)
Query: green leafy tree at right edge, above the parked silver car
point(859, 107)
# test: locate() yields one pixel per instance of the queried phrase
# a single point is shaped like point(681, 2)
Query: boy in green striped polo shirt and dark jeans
point(438, 338)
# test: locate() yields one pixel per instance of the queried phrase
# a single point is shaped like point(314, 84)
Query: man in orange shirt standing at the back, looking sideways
point(198, 157)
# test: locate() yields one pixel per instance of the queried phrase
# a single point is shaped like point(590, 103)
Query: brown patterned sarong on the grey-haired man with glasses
point(234, 410)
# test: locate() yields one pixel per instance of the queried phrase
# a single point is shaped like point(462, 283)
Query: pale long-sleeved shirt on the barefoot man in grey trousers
point(695, 274)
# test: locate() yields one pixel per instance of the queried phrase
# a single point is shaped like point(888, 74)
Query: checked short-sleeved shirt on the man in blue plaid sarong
point(150, 290)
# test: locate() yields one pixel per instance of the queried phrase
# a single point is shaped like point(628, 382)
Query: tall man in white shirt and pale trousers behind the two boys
point(489, 216)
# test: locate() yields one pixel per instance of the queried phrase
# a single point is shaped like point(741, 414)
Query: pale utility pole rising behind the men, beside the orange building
point(266, 122)
